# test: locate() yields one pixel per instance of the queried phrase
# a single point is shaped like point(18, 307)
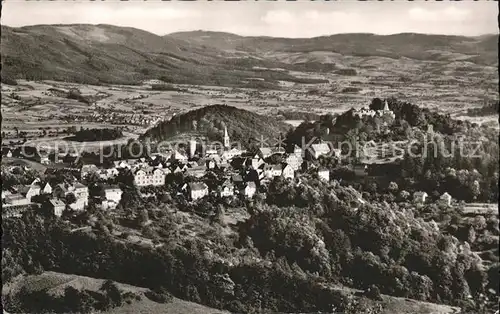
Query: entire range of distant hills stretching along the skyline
point(101, 54)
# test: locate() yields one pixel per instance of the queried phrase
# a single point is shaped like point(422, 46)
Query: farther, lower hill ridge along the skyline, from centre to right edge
point(481, 49)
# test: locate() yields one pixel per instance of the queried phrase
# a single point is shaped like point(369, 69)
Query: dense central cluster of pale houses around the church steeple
point(243, 172)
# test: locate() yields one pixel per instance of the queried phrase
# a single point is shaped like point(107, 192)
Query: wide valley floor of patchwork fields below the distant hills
point(433, 84)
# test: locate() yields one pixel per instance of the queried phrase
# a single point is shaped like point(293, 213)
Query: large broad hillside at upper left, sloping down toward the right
point(98, 54)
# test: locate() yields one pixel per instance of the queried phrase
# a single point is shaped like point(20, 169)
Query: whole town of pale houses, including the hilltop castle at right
point(242, 174)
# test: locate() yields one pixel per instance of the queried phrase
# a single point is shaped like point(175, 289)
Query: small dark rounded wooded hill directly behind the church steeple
point(209, 121)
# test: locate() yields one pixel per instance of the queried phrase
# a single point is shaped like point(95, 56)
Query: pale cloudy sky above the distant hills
point(270, 18)
